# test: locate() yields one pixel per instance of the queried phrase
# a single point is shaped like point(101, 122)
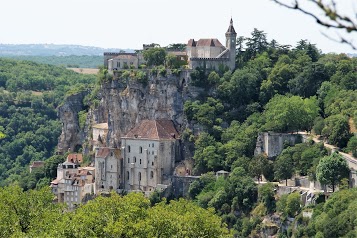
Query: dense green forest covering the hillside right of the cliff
point(274, 88)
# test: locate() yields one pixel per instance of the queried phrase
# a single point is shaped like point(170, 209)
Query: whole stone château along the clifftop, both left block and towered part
point(208, 53)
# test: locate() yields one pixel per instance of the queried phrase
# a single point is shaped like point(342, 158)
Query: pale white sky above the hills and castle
point(132, 23)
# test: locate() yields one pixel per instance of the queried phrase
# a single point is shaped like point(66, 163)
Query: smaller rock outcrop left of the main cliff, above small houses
point(71, 136)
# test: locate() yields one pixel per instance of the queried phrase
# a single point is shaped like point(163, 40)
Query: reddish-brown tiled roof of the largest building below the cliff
point(154, 129)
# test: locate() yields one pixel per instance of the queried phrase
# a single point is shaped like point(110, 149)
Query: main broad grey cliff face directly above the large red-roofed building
point(162, 97)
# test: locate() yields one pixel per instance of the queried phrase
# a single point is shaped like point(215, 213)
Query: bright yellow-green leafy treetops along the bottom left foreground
point(33, 214)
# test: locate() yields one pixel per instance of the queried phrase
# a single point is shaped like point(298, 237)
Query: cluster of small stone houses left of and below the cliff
point(73, 183)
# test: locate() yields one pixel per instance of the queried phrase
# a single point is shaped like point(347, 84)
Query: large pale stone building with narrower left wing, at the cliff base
point(147, 160)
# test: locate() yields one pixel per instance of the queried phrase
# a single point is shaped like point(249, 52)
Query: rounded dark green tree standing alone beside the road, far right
point(332, 169)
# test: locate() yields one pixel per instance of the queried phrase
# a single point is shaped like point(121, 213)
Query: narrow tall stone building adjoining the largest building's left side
point(109, 170)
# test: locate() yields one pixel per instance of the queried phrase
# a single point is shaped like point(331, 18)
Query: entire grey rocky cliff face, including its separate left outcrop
point(123, 105)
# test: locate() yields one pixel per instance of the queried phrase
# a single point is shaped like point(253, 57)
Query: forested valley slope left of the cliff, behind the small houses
point(29, 95)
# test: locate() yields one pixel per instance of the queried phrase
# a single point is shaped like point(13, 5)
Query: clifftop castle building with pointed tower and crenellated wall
point(211, 54)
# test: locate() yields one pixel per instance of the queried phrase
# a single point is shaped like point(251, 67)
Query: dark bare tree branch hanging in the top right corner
point(331, 19)
